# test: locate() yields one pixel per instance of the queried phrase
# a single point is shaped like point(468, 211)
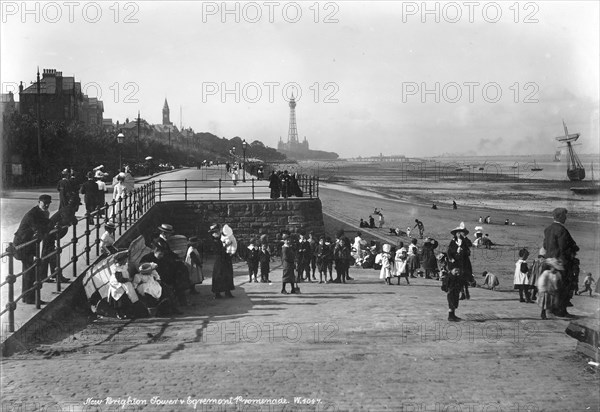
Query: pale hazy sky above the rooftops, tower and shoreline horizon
point(392, 77)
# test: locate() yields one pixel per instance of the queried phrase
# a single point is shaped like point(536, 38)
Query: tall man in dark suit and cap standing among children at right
point(560, 245)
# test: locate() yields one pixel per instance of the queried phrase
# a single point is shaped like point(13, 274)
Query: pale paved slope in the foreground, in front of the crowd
point(357, 346)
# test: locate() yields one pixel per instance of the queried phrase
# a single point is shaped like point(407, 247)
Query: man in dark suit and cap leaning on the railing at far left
point(35, 224)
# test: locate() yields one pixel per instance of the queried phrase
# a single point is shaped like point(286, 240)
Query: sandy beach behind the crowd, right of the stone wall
point(401, 206)
